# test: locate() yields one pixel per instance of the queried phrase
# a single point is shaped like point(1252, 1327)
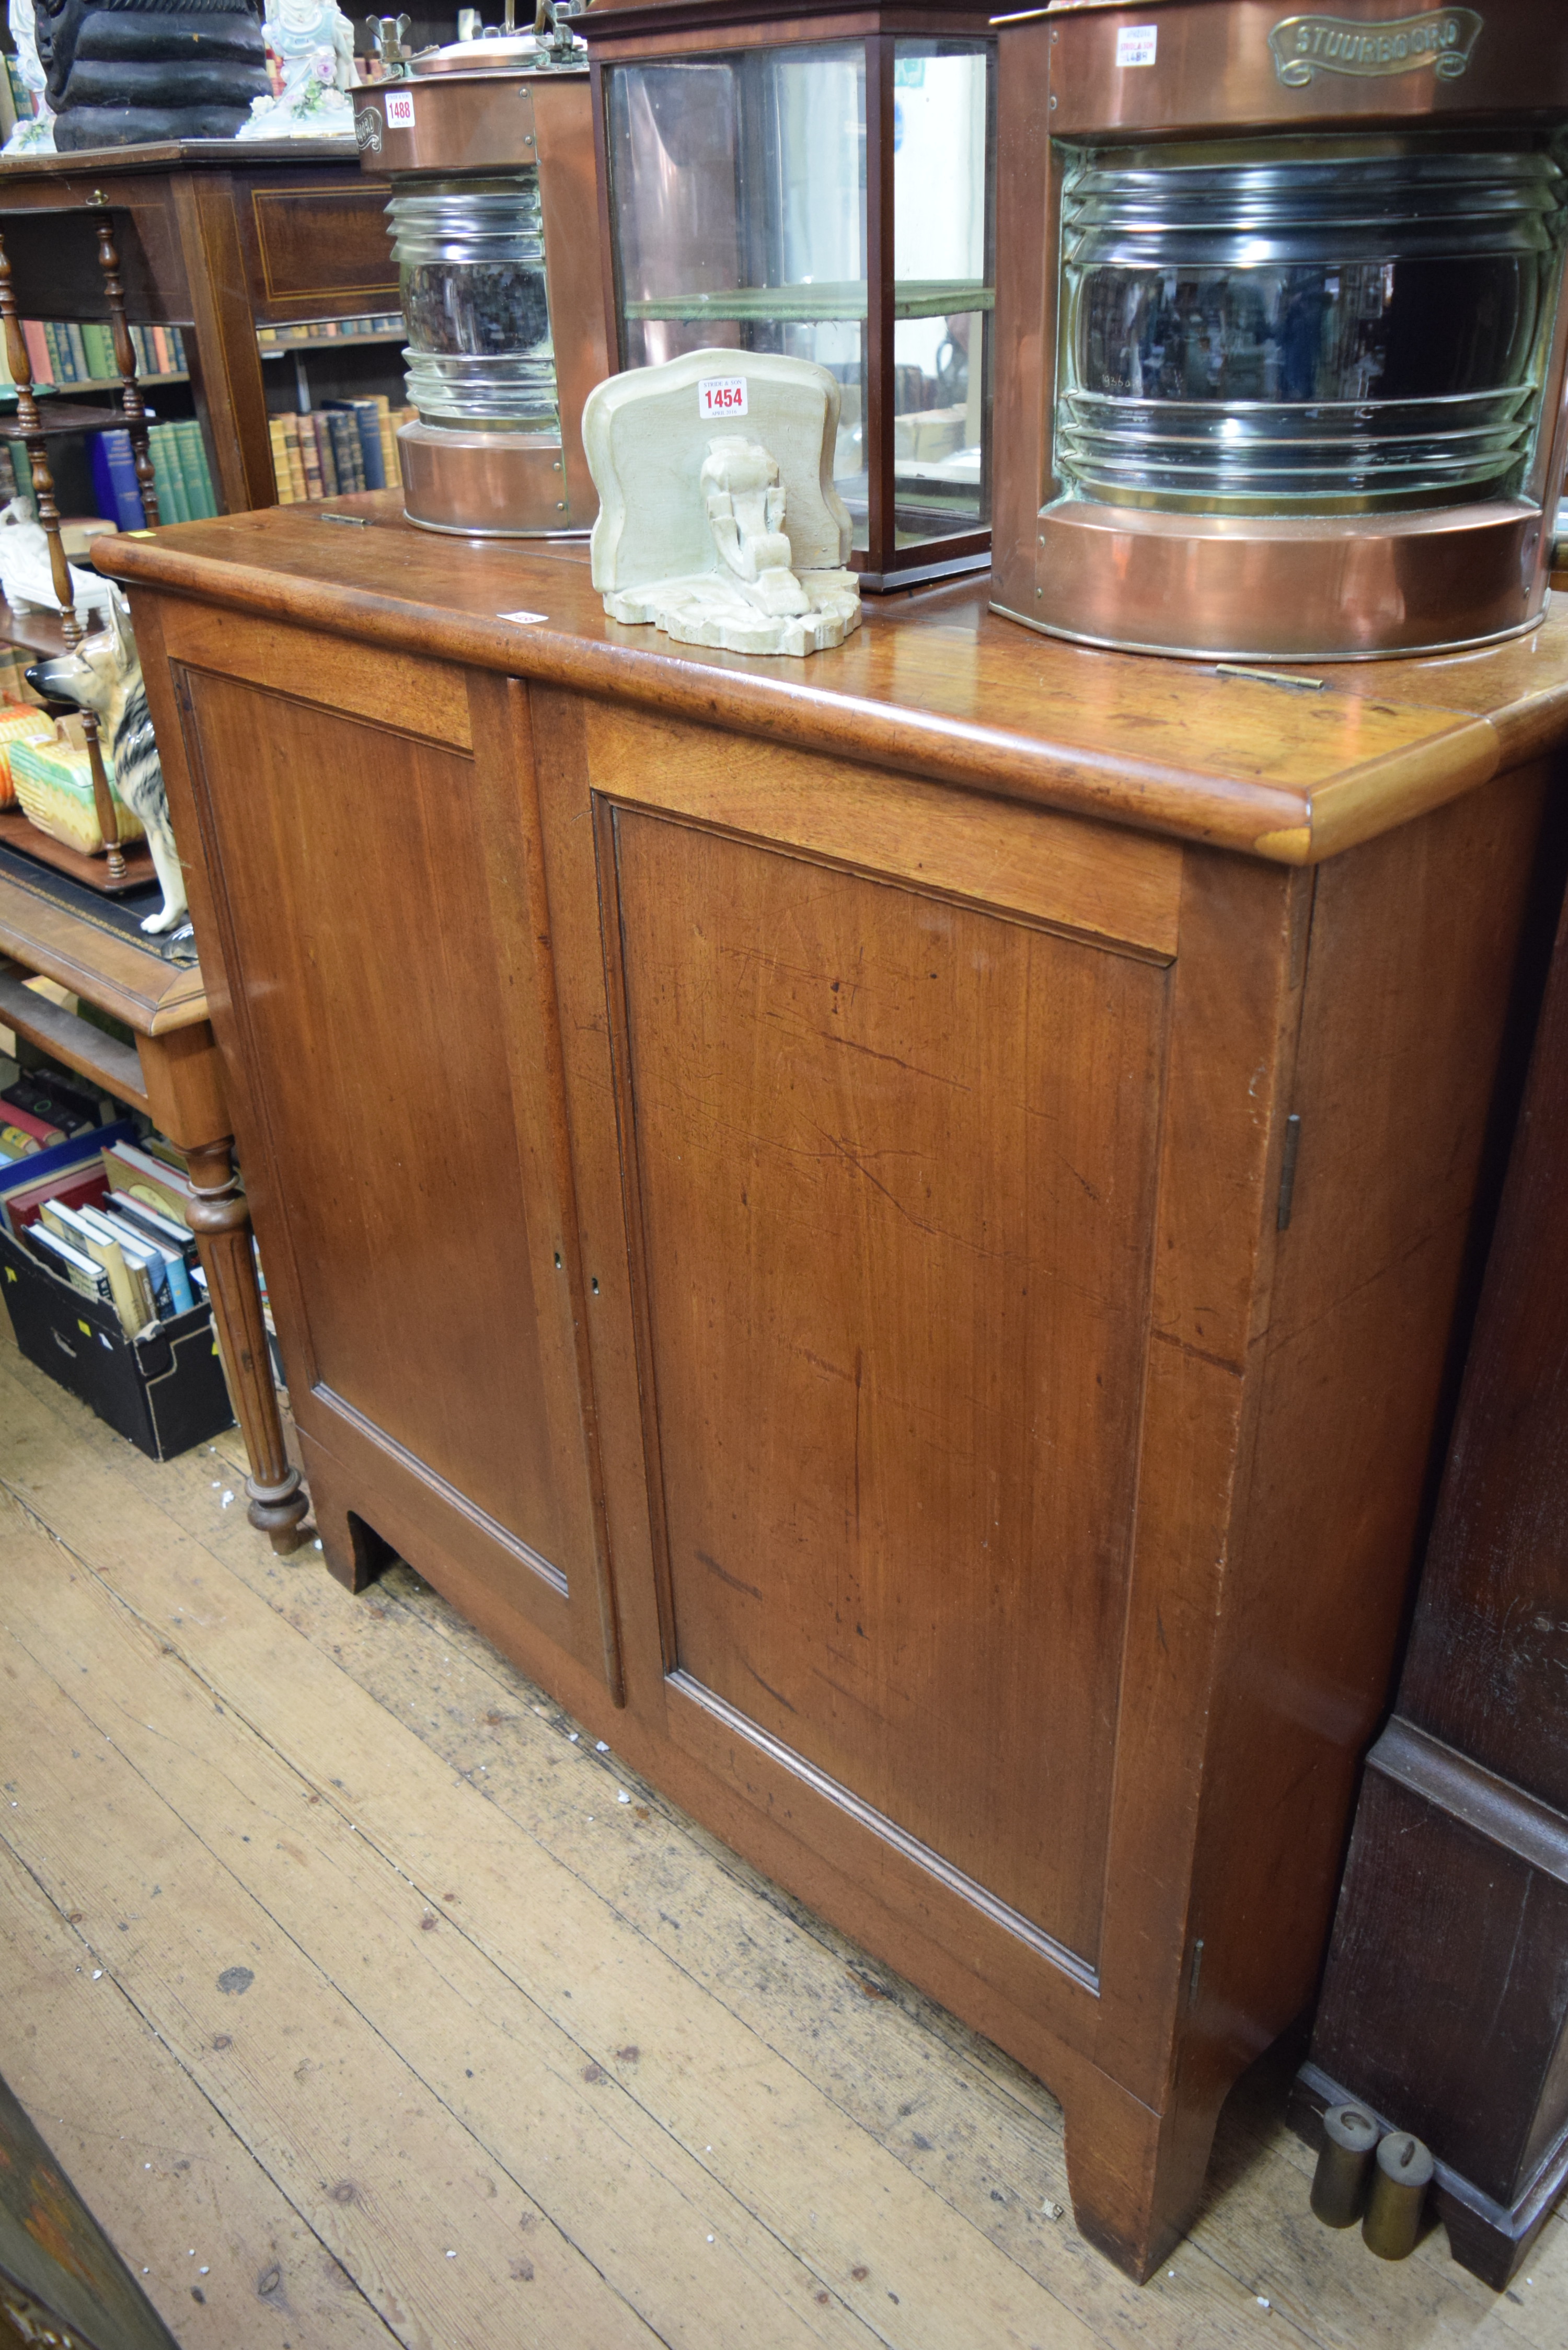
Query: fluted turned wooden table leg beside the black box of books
point(222, 1230)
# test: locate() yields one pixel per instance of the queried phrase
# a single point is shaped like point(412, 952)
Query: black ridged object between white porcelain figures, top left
point(130, 72)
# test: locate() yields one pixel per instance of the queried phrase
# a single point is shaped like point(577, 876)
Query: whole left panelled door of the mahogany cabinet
point(394, 983)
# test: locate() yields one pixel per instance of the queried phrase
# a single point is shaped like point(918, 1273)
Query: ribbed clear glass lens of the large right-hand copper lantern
point(1336, 333)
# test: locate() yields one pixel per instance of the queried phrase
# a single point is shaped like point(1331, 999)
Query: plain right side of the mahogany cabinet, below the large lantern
point(1402, 1030)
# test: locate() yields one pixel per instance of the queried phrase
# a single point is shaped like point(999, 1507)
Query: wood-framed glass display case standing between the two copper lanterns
point(822, 184)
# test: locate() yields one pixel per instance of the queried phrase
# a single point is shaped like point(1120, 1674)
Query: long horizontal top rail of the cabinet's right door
point(1057, 868)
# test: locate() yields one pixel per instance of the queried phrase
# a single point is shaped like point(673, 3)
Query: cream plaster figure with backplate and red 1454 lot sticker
point(723, 537)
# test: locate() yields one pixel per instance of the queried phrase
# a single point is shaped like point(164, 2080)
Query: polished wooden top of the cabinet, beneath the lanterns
point(932, 683)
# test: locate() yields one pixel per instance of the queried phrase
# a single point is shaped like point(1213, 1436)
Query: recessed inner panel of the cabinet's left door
point(389, 1096)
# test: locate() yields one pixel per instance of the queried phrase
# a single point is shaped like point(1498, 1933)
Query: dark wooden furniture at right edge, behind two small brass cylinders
point(1447, 1994)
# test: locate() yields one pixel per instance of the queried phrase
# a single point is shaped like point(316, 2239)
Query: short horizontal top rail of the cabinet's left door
point(427, 699)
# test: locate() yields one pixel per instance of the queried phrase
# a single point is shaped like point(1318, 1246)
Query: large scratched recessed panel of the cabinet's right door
point(897, 1491)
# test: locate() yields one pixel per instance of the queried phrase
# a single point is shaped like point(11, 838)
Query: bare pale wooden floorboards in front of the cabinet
point(521, 2055)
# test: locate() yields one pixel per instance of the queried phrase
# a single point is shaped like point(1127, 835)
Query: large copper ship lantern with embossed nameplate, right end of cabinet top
point(1280, 323)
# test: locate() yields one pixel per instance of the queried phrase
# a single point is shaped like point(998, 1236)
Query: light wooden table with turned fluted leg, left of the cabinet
point(175, 1075)
